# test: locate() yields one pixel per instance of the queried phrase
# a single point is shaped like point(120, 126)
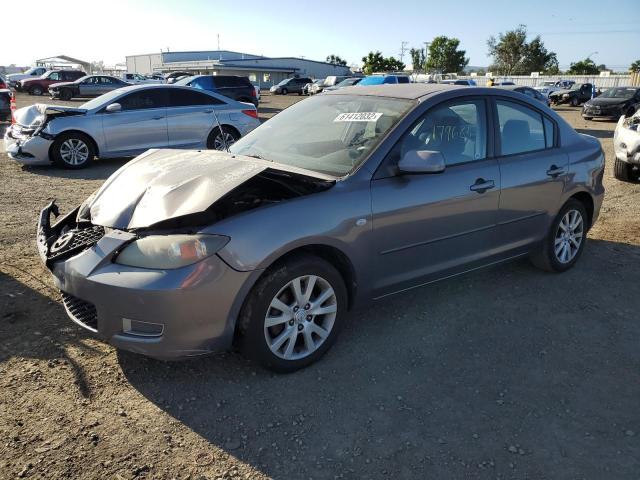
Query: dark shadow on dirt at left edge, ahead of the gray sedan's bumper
point(33, 326)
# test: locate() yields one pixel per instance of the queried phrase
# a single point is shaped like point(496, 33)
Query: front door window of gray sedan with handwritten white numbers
point(456, 129)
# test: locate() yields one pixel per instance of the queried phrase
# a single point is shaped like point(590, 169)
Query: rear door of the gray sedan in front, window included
point(534, 172)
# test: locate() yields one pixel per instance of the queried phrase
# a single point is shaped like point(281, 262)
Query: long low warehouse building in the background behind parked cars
point(262, 71)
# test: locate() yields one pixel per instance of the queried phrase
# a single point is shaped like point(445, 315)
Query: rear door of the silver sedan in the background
point(190, 117)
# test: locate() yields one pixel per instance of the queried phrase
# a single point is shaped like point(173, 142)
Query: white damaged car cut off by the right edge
point(626, 144)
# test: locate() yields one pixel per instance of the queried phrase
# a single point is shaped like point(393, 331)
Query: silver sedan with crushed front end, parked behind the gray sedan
point(125, 123)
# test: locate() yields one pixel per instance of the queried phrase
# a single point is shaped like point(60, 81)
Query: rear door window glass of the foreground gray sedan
point(521, 128)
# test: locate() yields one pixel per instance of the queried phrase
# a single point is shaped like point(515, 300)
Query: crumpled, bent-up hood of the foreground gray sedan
point(164, 184)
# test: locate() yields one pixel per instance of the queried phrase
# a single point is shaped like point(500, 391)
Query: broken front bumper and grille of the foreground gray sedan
point(165, 314)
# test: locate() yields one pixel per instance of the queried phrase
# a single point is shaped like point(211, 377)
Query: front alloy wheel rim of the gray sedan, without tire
point(300, 317)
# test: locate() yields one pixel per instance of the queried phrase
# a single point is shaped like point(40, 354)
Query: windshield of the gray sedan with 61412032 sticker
point(331, 134)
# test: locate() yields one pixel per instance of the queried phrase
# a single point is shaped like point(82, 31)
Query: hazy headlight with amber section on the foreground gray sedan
point(170, 251)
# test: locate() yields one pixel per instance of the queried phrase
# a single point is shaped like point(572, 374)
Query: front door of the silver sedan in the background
point(142, 123)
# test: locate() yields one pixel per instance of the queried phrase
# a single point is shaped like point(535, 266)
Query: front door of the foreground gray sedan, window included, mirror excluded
point(427, 226)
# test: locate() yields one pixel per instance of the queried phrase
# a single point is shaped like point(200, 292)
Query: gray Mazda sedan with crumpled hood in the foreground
point(339, 200)
